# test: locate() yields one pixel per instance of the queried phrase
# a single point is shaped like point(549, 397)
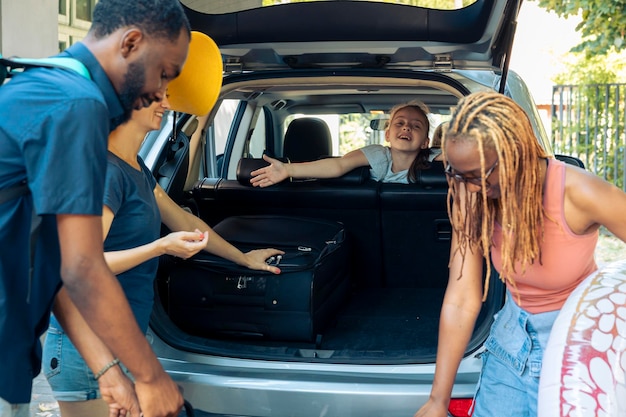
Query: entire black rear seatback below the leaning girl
point(399, 233)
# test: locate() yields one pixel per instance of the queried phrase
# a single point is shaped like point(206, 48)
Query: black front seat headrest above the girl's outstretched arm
point(307, 139)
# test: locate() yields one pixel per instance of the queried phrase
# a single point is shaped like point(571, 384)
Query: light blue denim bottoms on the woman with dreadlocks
point(509, 380)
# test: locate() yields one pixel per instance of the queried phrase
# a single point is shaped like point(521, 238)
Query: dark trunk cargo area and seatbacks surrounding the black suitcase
point(398, 253)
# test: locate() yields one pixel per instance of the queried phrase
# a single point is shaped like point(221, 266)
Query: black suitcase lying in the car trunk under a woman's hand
point(210, 295)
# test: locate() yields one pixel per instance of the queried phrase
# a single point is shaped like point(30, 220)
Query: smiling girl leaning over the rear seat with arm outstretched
point(407, 134)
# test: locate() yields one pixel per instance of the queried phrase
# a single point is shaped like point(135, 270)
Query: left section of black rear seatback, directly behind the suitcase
point(351, 199)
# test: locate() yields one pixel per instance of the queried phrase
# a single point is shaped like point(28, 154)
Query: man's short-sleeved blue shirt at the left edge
point(53, 134)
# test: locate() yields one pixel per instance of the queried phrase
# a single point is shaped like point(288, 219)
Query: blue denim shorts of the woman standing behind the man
point(68, 375)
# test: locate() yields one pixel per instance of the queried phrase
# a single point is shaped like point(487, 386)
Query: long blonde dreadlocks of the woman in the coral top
point(495, 122)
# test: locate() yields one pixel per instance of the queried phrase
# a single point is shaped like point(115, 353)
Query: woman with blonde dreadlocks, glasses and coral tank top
point(537, 220)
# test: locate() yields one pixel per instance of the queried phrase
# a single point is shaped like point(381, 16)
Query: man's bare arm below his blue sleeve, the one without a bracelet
point(98, 296)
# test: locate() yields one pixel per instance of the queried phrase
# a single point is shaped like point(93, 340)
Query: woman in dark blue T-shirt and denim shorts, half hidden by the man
point(134, 207)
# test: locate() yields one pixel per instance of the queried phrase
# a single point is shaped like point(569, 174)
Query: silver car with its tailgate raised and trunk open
point(345, 63)
